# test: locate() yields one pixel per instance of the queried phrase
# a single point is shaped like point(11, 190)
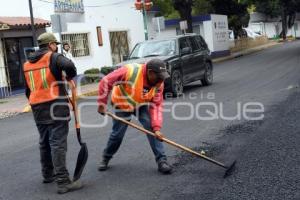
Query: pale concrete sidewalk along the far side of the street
point(19, 104)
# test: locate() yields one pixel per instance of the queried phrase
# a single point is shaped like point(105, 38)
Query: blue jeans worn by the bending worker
point(119, 129)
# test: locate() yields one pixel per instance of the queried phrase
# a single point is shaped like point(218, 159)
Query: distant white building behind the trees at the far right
point(272, 27)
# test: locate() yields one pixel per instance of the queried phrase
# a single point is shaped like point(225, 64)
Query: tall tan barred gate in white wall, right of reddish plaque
point(119, 45)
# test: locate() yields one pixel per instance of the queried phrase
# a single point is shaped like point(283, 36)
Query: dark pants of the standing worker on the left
point(53, 148)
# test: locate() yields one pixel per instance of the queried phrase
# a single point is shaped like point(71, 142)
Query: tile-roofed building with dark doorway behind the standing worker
point(15, 38)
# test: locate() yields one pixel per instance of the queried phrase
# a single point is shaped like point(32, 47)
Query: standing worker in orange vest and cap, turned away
point(43, 72)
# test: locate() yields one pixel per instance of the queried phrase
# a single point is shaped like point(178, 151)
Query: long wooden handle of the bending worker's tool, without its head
point(166, 140)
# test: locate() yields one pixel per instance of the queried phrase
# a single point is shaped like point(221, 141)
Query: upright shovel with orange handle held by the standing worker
point(83, 153)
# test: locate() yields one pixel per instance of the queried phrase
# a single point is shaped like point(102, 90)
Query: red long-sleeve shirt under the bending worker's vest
point(119, 75)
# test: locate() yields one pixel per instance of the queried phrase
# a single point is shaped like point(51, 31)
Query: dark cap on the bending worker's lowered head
point(159, 67)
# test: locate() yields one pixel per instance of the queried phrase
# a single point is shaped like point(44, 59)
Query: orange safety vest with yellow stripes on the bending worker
point(129, 94)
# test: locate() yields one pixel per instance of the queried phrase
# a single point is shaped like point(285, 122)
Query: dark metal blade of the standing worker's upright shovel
point(81, 161)
